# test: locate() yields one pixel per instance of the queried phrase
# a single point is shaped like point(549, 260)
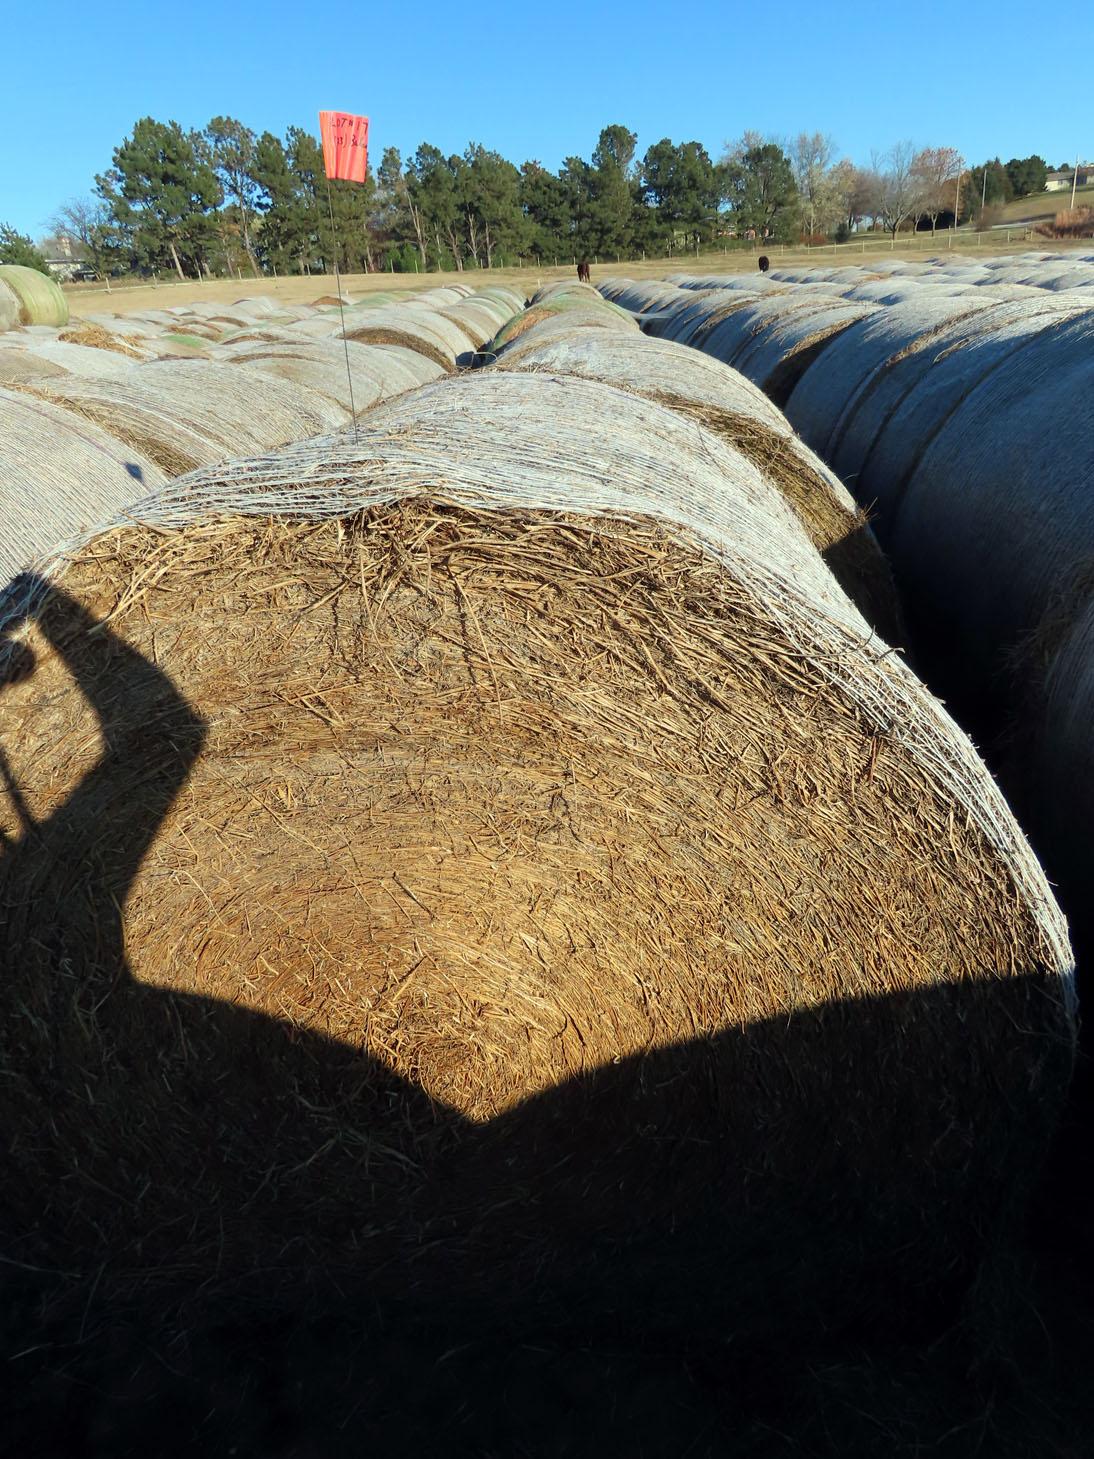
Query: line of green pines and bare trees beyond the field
point(225, 201)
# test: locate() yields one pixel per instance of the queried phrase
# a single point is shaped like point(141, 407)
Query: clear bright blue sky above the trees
point(539, 81)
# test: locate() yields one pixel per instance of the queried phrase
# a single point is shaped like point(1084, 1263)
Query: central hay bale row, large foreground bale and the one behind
point(494, 873)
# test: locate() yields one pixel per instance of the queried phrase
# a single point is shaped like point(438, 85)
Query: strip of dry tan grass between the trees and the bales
point(133, 298)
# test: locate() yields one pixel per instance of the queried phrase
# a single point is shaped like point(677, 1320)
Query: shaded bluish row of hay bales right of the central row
point(965, 422)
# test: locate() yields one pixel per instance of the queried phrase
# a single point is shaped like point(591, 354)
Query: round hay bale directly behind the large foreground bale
point(739, 412)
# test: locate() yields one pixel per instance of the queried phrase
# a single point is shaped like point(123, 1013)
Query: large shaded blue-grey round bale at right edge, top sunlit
point(991, 516)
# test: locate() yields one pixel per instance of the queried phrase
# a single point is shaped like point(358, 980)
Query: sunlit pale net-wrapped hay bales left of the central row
point(97, 415)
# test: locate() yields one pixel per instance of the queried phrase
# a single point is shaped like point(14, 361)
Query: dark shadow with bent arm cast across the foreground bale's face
point(797, 1174)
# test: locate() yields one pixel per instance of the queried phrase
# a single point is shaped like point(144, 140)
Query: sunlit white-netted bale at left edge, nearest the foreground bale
point(59, 478)
